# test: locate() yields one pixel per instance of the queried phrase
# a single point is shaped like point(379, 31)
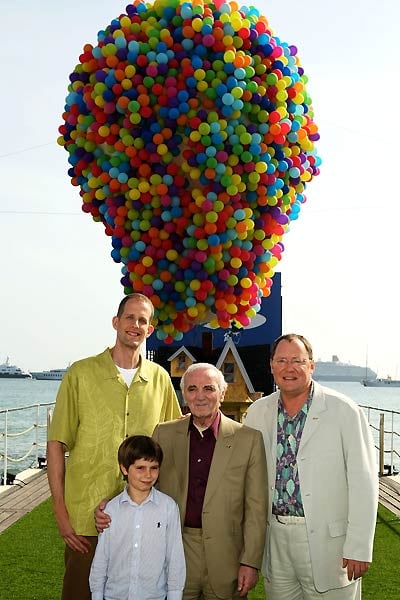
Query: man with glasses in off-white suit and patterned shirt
point(323, 480)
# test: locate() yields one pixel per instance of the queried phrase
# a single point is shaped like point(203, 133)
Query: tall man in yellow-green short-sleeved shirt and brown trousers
point(102, 400)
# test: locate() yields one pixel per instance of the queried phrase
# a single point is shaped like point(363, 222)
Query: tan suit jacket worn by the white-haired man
point(235, 503)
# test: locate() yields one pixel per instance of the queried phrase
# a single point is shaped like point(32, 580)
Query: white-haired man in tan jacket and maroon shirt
point(215, 469)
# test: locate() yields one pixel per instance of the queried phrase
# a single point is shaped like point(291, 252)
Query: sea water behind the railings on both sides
point(16, 393)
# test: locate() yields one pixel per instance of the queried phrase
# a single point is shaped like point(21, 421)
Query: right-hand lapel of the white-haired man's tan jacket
point(222, 454)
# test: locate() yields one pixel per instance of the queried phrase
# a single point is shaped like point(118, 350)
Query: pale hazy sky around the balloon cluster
point(59, 285)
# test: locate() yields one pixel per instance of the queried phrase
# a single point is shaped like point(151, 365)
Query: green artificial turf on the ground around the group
point(31, 559)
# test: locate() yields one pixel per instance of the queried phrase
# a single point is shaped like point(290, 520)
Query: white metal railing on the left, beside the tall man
point(10, 432)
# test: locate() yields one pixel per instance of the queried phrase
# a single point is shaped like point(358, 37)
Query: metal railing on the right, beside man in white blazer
point(388, 439)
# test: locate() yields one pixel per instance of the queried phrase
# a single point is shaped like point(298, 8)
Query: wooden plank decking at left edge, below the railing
point(22, 497)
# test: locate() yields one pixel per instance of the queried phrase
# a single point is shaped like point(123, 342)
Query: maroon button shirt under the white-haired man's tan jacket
point(201, 450)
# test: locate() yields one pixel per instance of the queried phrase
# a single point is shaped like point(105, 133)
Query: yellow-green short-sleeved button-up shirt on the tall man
point(94, 412)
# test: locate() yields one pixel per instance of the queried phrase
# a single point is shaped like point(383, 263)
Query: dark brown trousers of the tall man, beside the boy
point(77, 570)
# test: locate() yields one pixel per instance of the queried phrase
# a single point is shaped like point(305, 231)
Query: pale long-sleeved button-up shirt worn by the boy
point(140, 555)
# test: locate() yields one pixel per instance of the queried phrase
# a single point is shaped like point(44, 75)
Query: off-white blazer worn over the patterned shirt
point(338, 480)
